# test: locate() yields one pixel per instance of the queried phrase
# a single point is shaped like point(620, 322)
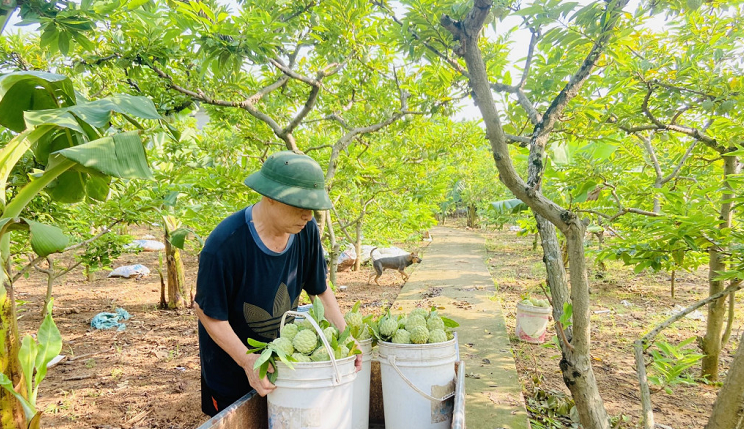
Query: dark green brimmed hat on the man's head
point(291, 178)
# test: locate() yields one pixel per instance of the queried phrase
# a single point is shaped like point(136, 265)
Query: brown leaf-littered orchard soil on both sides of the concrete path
point(147, 376)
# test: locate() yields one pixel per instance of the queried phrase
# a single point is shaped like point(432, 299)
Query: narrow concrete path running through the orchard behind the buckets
point(453, 276)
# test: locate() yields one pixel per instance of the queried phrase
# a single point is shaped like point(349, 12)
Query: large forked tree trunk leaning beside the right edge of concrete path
point(576, 361)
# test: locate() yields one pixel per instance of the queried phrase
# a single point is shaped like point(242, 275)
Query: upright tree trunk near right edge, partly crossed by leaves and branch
point(711, 342)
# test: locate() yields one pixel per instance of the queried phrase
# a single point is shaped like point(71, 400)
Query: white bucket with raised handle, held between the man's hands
point(315, 395)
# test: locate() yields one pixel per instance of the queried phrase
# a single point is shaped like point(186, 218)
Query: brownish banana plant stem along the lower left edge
point(11, 412)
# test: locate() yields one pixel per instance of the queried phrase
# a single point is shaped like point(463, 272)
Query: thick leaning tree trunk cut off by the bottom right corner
point(728, 410)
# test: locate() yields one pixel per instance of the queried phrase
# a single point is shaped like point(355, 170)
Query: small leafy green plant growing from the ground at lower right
point(670, 364)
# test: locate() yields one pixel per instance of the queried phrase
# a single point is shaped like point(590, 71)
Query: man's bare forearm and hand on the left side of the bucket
point(225, 337)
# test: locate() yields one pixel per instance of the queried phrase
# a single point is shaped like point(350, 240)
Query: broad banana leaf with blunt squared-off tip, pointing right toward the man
point(120, 155)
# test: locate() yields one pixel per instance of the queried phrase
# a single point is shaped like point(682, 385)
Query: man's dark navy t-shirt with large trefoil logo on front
point(240, 280)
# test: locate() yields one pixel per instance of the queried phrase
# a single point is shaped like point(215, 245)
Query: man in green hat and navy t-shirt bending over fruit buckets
point(252, 269)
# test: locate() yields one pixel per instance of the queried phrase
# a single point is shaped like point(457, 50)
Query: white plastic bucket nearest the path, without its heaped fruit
point(418, 384)
